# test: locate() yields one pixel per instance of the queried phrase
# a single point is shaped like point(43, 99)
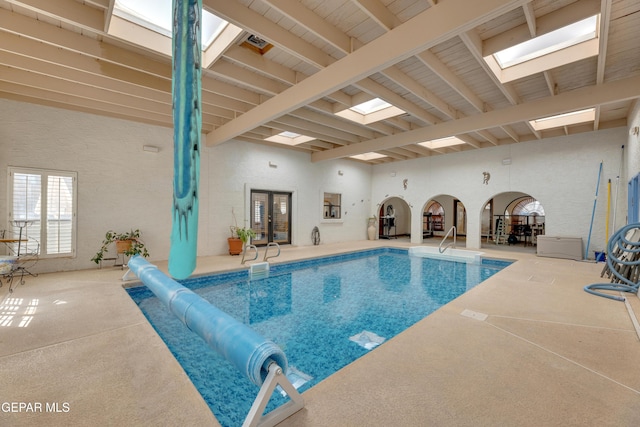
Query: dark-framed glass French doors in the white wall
point(271, 217)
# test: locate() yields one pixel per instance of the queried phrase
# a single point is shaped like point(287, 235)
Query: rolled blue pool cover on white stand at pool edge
point(244, 348)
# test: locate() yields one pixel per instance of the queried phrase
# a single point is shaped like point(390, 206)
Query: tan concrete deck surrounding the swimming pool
point(528, 347)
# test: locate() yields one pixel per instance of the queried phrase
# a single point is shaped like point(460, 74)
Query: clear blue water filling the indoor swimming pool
point(324, 313)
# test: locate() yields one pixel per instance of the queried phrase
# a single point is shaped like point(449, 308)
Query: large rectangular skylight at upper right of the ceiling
point(560, 47)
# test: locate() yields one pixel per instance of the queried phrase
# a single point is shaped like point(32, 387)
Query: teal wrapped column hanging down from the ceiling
point(187, 125)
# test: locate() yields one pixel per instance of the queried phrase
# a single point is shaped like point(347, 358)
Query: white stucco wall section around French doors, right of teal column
point(234, 168)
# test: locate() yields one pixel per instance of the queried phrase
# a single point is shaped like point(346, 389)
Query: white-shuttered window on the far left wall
point(42, 209)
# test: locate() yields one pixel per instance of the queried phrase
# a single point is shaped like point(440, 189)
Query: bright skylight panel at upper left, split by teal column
point(156, 16)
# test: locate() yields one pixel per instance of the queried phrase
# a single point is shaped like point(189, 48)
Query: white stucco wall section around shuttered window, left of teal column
point(120, 186)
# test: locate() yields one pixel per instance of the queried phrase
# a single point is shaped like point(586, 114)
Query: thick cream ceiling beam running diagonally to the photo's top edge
point(420, 33)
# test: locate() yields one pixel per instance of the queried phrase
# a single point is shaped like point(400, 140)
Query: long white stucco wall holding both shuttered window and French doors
point(122, 187)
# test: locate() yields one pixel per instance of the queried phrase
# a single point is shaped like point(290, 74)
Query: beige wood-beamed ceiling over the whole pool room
point(424, 57)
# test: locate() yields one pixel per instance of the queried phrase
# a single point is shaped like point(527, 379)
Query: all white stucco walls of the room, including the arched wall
point(121, 187)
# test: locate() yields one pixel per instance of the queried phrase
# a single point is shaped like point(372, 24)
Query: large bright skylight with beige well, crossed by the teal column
point(148, 23)
